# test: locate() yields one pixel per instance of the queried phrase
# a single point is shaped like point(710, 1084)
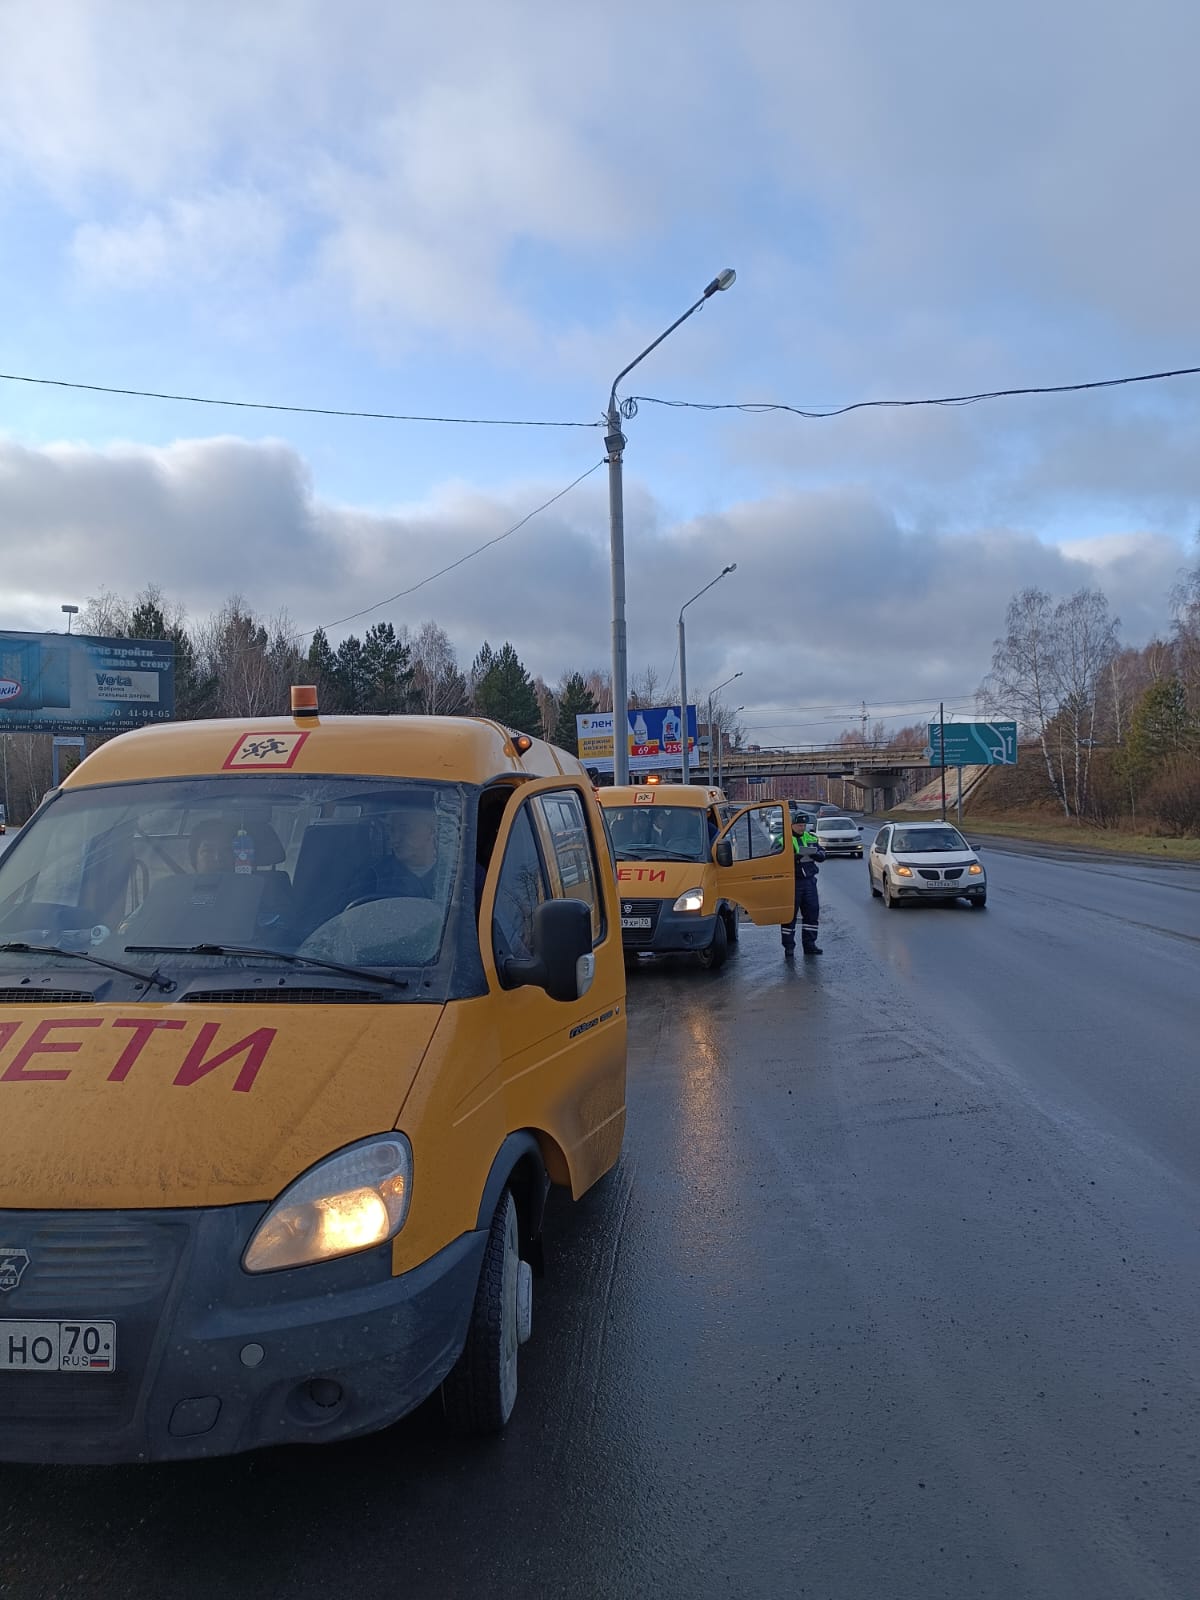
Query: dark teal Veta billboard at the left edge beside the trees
point(78, 684)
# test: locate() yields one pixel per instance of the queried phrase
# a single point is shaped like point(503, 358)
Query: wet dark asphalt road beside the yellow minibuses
point(895, 1294)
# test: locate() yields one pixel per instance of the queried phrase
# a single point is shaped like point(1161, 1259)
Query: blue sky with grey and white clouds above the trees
point(484, 210)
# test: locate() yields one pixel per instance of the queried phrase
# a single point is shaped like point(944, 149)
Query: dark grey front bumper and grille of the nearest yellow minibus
point(209, 1359)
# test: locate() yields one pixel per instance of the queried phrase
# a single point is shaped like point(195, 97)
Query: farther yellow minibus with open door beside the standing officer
point(689, 860)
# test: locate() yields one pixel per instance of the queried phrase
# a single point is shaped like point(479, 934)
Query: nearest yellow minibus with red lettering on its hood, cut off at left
point(300, 1018)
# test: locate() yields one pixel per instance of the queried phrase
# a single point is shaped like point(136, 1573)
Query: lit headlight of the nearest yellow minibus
point(348, 1202)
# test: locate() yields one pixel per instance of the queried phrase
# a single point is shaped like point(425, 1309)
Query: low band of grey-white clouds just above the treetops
point(833, 601)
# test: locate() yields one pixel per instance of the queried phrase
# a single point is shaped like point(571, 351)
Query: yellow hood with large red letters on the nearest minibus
point(191, 1106)
